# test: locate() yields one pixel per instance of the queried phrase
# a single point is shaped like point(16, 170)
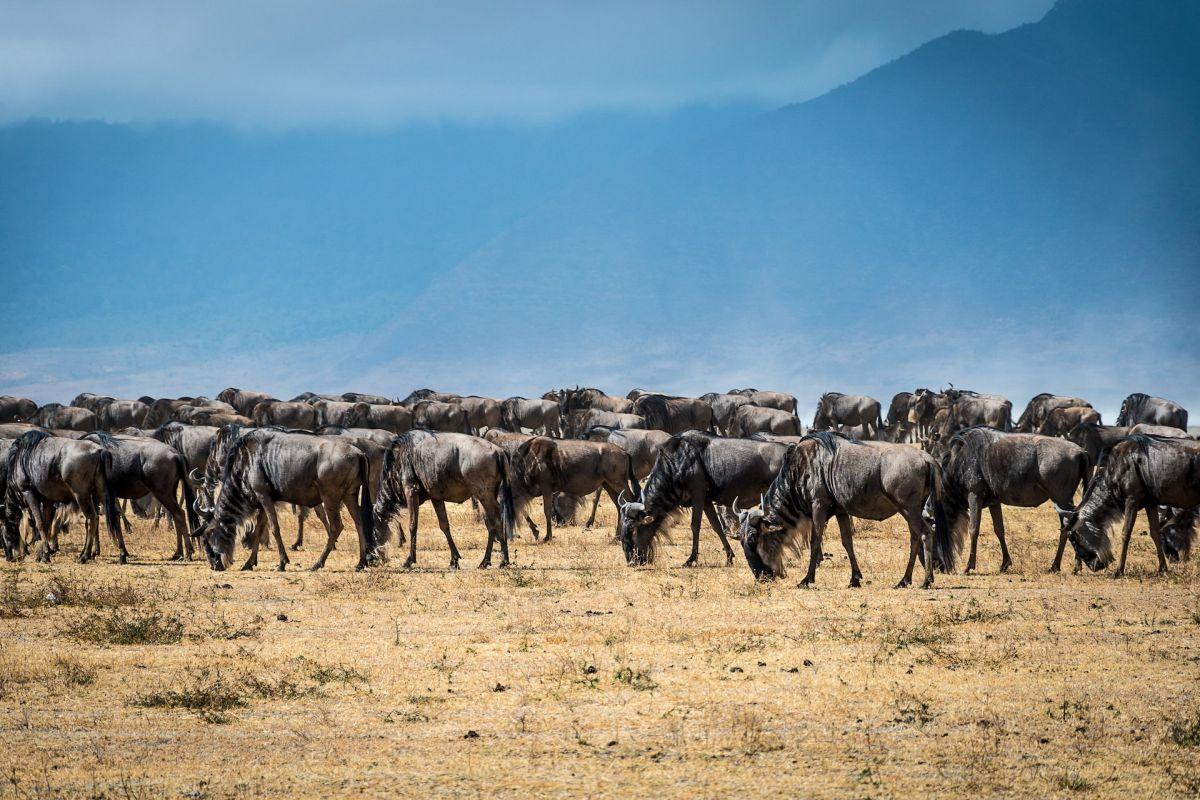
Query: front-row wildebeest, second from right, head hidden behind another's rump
point(986, 468)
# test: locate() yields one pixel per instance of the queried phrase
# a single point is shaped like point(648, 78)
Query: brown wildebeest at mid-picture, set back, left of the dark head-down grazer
point(543, 467)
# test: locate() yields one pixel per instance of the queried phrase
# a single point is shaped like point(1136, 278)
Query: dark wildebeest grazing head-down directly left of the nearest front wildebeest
point(697, 471)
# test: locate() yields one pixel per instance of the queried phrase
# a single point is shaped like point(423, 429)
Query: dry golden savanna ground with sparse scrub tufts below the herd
point(572, 675)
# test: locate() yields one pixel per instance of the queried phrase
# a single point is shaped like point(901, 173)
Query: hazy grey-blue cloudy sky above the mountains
point(375, 63)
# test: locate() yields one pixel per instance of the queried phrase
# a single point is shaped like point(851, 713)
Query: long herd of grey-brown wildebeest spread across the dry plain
point(217, 470)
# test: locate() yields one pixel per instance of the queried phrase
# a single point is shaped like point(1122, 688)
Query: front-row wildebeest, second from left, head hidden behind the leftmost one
point(147, 467)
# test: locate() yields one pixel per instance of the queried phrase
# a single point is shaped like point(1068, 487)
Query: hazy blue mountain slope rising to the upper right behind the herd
point(1015, 210)
